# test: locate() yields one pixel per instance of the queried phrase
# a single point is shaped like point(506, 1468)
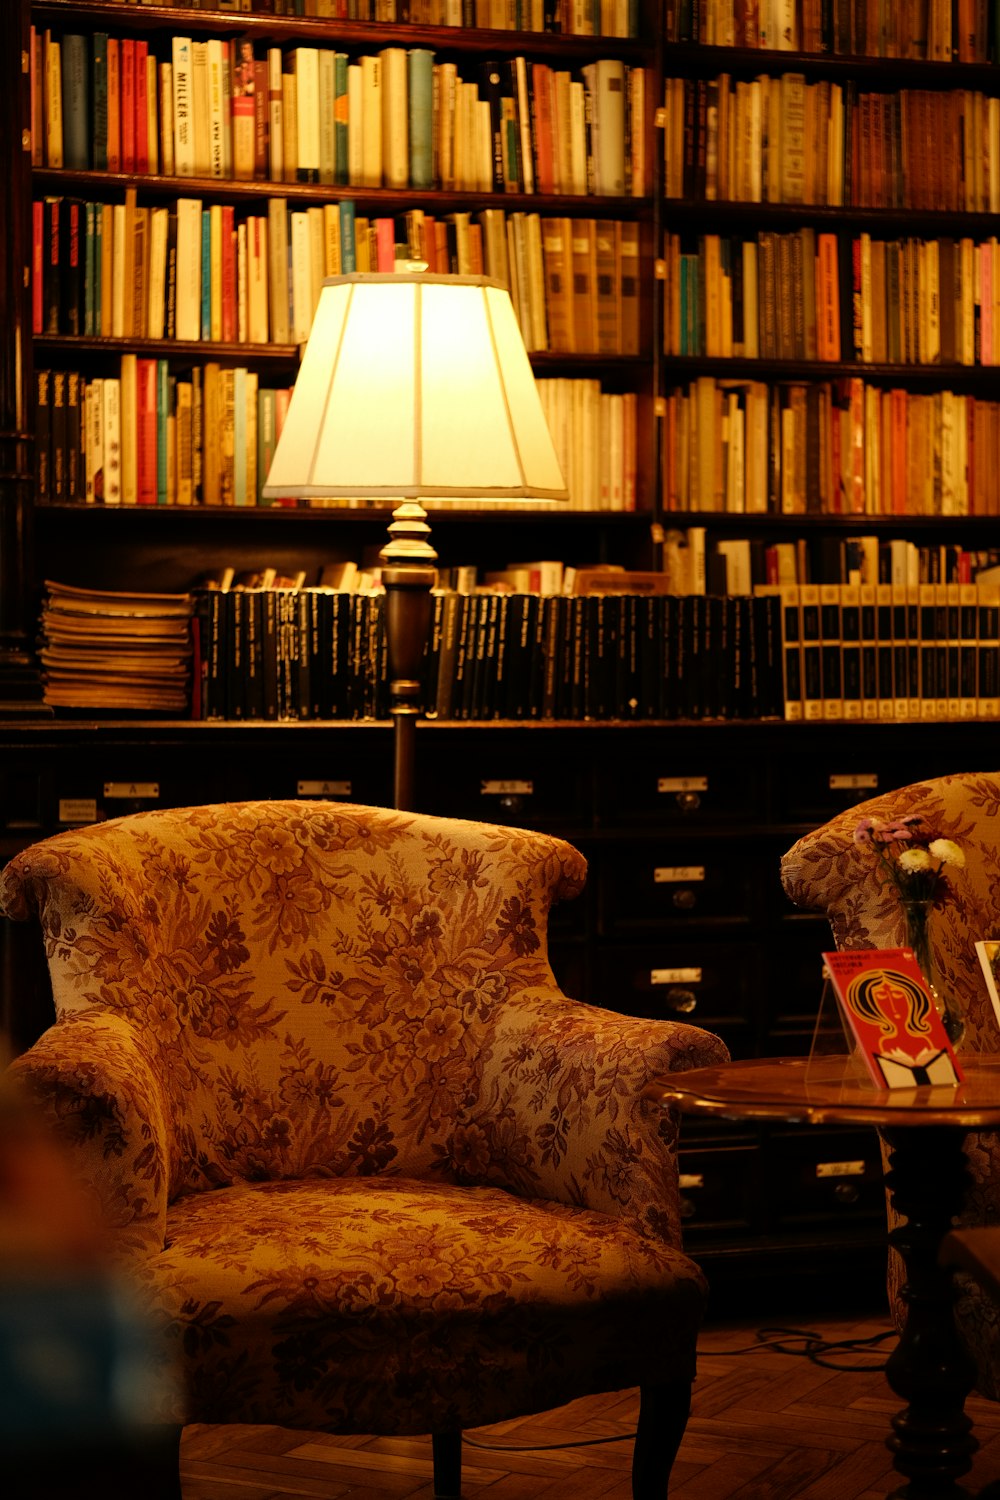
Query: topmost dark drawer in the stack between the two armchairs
point(666, 790)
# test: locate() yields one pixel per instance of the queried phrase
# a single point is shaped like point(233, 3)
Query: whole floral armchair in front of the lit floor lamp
point(371, 1168)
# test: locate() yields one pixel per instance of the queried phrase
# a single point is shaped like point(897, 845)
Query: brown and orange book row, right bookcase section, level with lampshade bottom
point(830, 448)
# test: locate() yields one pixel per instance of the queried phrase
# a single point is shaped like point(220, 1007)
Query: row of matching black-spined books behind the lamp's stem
point(320, 655)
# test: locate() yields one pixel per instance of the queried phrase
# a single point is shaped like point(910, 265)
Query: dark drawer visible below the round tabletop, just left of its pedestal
point(825, 1175)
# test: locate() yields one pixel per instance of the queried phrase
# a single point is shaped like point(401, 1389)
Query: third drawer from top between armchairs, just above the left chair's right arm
point(711, 985)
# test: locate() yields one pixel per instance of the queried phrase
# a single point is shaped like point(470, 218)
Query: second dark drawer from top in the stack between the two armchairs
point(674, 883)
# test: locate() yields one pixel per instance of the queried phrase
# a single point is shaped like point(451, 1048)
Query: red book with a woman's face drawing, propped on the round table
point(893, 1018)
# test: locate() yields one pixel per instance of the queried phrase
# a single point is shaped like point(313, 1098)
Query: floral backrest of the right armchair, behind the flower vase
point(828, 872)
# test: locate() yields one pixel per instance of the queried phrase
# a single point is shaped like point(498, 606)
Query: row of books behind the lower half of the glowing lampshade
point(139, 439)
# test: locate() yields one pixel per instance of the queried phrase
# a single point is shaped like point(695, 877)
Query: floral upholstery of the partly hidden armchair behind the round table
point(828, 872)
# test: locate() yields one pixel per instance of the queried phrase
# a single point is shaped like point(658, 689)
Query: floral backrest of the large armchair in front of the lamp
point(313, 980)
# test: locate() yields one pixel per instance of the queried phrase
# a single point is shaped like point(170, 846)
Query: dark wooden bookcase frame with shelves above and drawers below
point(683, 823)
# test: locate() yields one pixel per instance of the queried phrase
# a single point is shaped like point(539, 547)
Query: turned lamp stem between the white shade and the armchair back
point(409, 574)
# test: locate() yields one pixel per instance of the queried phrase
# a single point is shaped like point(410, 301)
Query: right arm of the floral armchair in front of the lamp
point(560, 1112)
